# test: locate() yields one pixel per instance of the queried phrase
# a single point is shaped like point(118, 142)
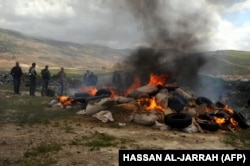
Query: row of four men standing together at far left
point(17, 73)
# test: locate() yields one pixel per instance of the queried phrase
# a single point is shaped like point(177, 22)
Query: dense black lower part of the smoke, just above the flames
point(180, 68)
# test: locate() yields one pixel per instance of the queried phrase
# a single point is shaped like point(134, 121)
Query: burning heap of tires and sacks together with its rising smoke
point(174, 59)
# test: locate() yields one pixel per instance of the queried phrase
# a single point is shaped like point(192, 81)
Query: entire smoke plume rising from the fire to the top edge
point(175, 35)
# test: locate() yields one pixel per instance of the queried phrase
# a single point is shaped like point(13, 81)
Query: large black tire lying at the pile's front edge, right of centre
point(178, 120)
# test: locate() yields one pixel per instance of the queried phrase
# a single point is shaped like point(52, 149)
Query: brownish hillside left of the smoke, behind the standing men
point(15, 46)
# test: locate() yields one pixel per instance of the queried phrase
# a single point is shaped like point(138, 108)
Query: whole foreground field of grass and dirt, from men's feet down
point(33, 134)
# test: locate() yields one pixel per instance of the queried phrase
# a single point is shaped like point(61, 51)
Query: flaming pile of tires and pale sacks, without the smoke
point(165, 107)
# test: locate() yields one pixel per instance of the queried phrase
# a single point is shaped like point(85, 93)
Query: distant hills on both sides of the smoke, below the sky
point(16, 46)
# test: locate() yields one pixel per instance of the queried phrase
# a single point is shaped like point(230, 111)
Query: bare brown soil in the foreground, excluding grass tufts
point(16, 140)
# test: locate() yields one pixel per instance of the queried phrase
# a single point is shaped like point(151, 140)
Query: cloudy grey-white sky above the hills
point(215, 24)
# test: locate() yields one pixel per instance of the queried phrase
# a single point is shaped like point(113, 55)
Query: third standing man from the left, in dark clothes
point(45, 80)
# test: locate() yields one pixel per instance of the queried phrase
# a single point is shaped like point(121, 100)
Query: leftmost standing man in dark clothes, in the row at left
point(16, 73)
